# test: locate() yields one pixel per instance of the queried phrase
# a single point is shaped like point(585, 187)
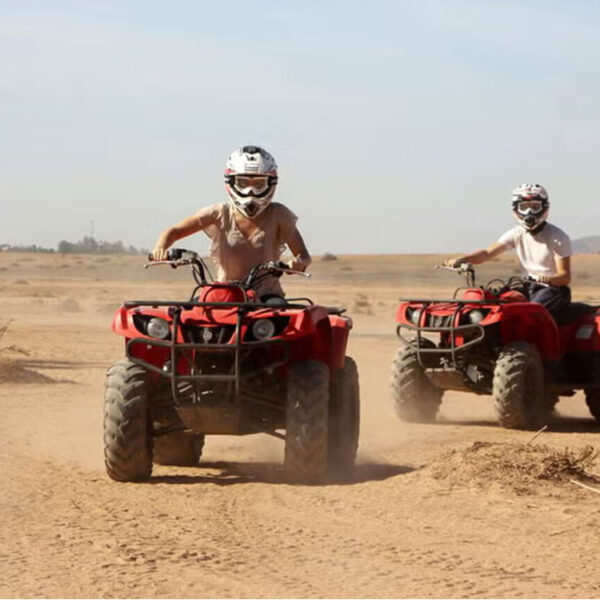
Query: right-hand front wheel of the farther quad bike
point(518, 388)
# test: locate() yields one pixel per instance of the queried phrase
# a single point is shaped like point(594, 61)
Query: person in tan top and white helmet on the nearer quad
point(249, 229)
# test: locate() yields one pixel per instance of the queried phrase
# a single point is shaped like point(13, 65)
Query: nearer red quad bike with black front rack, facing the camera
point(225, 362)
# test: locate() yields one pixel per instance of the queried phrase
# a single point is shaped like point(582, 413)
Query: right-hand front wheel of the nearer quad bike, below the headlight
point(306, 422)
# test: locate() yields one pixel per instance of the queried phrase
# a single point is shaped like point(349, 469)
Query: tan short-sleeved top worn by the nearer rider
point(236, 254)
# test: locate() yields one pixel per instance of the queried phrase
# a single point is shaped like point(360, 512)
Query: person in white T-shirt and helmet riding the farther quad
point(543, 249)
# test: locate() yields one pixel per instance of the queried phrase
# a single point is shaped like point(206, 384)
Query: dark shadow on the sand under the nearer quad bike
point(234, 473)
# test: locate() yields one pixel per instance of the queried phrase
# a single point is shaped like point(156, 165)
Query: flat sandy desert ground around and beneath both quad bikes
point(410, 523)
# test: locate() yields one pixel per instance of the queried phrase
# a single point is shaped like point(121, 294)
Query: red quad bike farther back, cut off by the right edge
point(492, 340)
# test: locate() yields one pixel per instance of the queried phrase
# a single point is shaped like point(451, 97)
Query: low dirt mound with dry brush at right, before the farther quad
point(519, 467)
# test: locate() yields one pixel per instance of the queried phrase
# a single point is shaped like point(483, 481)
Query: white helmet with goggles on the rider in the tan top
point(250, 179)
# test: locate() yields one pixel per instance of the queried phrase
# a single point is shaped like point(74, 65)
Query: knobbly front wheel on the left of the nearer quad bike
point(127, 433)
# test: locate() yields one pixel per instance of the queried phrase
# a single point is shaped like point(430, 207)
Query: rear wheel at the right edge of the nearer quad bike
point(344, 419)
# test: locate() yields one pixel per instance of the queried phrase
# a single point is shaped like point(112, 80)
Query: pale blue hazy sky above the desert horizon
point(398, 126)
